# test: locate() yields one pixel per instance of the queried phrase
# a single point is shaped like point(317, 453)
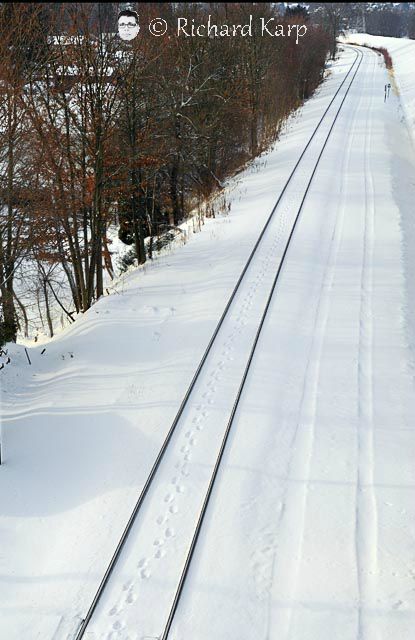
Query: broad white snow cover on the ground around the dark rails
point(309, 534)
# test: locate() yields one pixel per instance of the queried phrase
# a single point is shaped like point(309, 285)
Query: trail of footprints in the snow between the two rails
point(164, 534)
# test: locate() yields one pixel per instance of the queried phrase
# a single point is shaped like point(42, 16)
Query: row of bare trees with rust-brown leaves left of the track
point(95, 132)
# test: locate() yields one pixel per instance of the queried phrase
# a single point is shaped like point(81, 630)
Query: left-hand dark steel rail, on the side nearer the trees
point(85, 621)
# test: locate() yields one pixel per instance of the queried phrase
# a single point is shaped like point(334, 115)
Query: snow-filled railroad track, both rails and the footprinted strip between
point(150, 564)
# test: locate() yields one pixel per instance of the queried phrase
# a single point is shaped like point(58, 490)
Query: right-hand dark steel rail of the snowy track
point(203, 510)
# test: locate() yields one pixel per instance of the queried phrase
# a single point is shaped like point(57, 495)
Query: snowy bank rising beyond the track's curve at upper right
point(402, 51)
